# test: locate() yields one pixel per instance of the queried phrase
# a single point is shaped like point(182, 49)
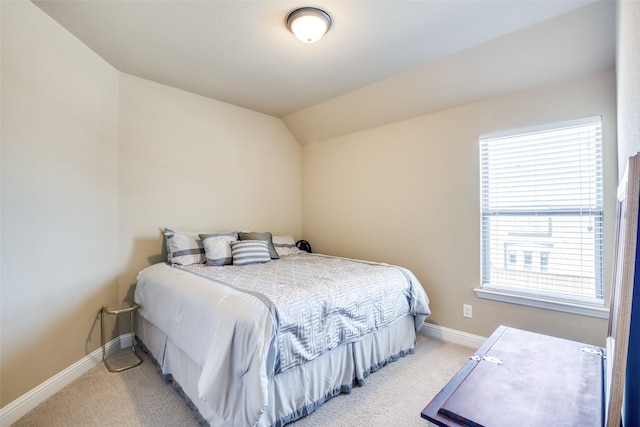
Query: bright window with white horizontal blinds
point(542, 203)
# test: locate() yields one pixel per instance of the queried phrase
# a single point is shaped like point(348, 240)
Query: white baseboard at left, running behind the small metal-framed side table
point(15, 410)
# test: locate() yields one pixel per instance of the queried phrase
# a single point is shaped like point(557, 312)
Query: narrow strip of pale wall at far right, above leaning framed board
point(628, 78)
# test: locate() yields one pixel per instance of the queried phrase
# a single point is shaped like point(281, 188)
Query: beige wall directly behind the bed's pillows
point(193, 163)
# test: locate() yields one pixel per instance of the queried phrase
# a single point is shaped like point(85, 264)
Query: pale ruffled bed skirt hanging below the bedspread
point(300, 390)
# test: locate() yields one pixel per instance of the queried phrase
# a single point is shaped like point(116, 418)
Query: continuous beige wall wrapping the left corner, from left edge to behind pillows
point(94, 164)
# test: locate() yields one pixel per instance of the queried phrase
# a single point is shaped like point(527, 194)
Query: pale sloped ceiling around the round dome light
point(381, 61)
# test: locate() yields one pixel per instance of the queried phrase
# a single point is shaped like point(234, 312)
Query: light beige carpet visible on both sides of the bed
point(393, 396)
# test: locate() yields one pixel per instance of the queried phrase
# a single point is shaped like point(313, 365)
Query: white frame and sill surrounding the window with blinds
point(585, 306)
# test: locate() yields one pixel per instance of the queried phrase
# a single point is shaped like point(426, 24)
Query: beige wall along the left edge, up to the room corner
point(59, 198)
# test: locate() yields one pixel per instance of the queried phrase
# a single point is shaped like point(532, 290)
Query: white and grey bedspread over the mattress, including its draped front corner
point(242, 324)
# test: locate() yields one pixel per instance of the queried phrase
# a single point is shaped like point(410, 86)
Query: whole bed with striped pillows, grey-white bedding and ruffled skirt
point(265, 343)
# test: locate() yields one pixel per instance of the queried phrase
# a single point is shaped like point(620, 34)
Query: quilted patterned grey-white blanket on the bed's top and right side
point(320, 302)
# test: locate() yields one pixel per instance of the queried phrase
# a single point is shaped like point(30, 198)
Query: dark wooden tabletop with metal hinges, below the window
point(520, 378)
